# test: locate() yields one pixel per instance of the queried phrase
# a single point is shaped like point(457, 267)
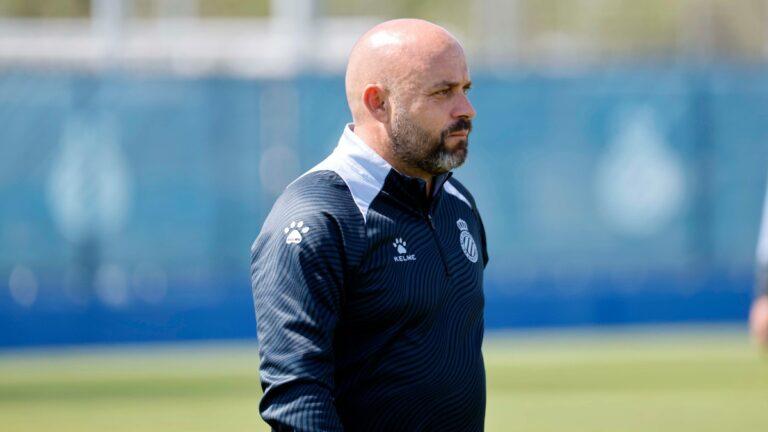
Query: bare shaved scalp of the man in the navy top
point(396, 56)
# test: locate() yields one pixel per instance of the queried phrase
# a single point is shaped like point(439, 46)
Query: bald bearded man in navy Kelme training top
point(367, 275)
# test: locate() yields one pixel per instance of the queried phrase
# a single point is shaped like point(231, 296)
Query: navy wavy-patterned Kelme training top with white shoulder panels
point(369, 303)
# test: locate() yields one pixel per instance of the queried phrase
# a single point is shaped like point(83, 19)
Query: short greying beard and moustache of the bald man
point(415, 146)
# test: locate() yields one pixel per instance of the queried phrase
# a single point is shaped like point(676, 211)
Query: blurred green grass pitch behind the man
point(652, 379)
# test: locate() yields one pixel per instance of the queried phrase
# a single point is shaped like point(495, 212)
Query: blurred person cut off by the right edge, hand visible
point(758, 317)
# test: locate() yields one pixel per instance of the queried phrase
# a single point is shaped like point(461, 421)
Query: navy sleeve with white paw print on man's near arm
point(297, 275)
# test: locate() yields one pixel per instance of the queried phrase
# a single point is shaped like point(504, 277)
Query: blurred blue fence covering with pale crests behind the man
point(128, 202)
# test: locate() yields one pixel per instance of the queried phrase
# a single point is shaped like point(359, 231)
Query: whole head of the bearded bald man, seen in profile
point(407, 82)
